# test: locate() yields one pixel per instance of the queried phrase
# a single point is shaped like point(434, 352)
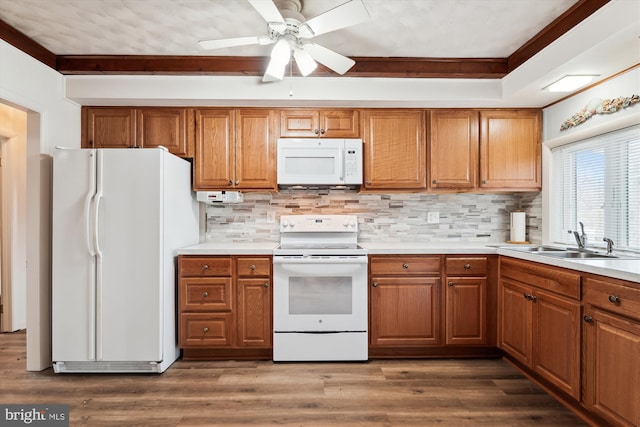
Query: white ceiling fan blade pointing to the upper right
point(351, 13)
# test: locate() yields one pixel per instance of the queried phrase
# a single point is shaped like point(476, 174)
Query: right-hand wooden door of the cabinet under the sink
point(556, 341)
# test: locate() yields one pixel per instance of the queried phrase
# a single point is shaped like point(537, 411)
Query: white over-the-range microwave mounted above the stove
point(314, 161)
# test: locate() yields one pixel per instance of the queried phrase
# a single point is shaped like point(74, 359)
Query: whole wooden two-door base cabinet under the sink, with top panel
point(539, 311)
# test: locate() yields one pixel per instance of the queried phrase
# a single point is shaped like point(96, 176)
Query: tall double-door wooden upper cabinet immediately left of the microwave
point(234, 150)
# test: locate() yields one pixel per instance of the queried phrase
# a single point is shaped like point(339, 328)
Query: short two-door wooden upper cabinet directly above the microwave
point(321, 123)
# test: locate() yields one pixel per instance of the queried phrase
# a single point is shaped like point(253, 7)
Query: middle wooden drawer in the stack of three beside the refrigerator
point(198, 294)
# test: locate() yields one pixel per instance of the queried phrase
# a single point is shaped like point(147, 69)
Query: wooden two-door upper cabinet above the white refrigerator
point(130, 127)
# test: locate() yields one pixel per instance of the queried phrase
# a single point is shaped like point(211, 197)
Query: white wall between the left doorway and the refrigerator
point(51, 120)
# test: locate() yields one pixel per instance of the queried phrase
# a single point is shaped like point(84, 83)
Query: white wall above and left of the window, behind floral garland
point(624, 85)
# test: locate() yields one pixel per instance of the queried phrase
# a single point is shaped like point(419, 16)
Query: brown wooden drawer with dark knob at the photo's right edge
point(612, 297)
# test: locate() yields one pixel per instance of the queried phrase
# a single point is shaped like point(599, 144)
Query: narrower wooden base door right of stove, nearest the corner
point(466, 315)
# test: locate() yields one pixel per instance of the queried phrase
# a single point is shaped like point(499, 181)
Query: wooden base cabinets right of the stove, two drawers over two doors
point(413, 315)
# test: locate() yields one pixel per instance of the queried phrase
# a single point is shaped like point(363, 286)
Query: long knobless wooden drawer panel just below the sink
point(554, 279)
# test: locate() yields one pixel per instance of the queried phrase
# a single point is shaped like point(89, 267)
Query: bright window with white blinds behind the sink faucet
point(597, 182)
